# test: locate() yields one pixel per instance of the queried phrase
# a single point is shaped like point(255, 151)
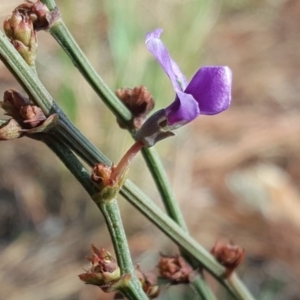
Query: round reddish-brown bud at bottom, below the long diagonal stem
point(175, 269)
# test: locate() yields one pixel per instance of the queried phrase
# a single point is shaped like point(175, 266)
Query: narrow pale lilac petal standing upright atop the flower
point(160, 52)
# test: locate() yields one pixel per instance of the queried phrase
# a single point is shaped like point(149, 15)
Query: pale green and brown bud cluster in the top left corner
point(22, 25)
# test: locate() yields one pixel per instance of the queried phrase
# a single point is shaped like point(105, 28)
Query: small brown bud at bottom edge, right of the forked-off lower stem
point(148, 281)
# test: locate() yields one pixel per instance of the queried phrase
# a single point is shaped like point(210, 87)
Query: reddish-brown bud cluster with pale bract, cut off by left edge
point(26, 118)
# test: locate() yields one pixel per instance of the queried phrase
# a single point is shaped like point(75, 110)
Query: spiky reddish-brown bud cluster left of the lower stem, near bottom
point(103, 269)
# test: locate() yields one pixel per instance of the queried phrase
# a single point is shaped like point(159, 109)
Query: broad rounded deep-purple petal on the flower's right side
point(211, 88)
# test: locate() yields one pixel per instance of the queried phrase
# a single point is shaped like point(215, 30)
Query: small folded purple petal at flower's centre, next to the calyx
point(183, 110)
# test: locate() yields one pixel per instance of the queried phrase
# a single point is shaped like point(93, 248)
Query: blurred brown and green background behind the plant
point(236, 175)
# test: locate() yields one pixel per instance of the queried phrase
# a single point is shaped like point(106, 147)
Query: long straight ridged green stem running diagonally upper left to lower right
point(39, 94)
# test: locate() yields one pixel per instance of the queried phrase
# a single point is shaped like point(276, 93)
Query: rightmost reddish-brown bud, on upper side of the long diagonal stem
point(229, 255)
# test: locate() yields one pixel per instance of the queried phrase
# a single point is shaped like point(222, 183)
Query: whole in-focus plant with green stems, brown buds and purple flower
point(40, 118)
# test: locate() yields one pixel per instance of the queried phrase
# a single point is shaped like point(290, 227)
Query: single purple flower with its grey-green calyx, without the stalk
point(208, 93)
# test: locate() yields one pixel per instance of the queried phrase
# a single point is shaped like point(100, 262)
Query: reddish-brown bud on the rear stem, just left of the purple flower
point(139, 101)
